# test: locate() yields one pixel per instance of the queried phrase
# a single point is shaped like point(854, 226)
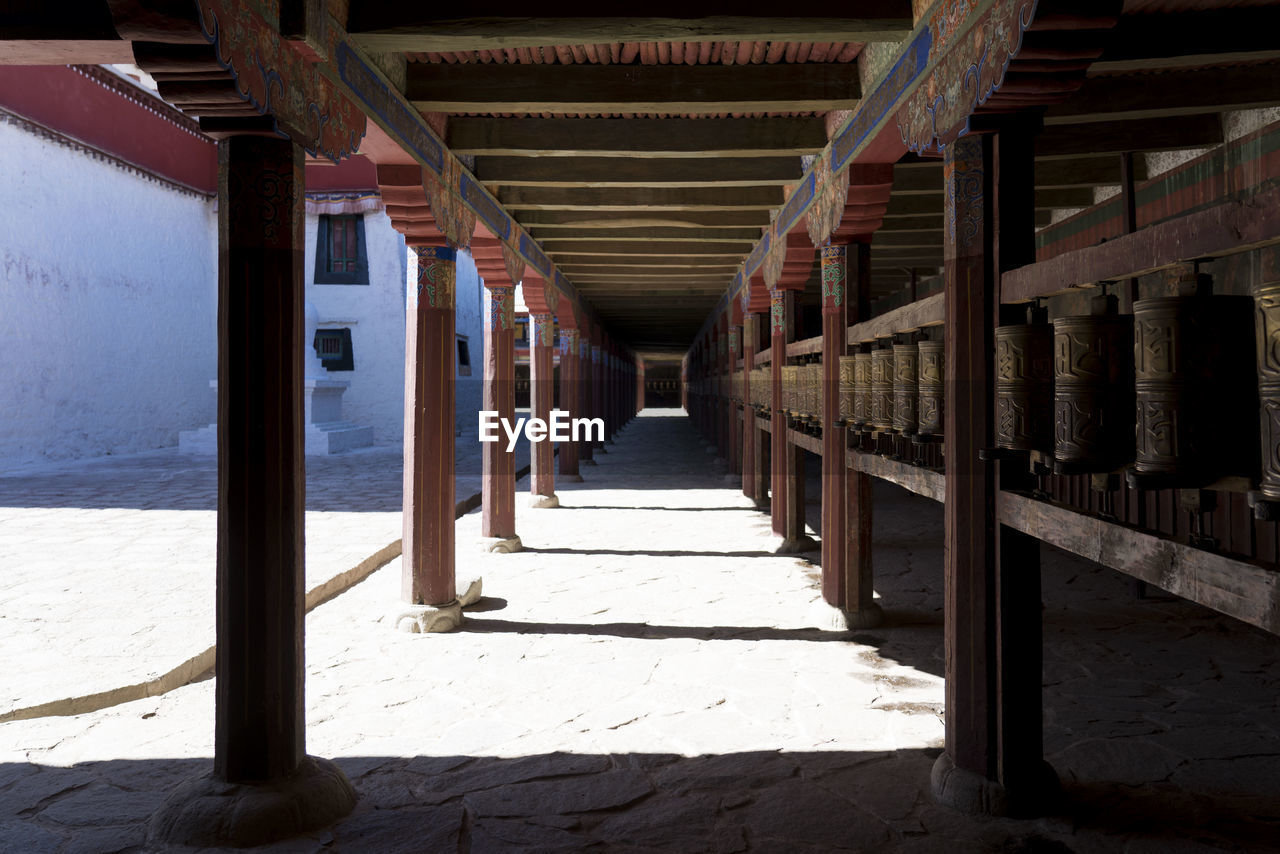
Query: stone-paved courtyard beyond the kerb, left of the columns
point(111, 563)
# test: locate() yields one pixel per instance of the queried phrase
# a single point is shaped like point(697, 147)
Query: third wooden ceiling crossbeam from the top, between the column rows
point(747, 138)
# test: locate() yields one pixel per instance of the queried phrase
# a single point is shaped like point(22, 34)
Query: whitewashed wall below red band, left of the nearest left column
point(108, 305)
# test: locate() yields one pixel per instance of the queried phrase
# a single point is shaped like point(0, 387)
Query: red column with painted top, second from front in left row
point(427, 569)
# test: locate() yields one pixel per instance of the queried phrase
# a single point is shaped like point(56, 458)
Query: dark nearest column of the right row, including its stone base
point(994, 762)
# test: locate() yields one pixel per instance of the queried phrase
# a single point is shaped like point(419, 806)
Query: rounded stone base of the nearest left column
point(209, 812)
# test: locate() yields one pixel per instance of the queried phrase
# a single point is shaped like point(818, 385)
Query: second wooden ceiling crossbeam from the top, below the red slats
point(491, 88)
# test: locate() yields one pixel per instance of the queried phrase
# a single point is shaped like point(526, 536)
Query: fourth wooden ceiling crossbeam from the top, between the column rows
point(633, 172)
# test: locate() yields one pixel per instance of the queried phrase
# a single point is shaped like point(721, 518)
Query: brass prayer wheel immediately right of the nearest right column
point(1025, 387)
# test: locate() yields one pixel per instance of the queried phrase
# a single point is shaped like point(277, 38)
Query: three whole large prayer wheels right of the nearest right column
point(1168, 392)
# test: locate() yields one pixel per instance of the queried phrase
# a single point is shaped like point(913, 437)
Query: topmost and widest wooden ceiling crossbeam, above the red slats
point(394, 26)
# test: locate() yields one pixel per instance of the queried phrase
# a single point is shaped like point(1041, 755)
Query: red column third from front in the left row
point(499, 467)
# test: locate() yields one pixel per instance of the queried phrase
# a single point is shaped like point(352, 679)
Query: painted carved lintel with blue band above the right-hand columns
point(950, 65)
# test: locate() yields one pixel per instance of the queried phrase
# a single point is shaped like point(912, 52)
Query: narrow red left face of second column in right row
point(835, 281)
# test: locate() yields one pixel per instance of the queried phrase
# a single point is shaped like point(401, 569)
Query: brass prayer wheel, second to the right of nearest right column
point(1094, 400)
